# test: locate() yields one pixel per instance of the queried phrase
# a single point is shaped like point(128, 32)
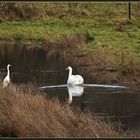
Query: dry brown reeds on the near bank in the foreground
point(26, 112)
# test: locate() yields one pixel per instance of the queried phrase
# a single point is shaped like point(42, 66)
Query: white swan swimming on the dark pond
point(74, 79)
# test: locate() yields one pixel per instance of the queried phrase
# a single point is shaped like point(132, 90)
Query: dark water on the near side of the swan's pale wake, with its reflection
point(112, 102)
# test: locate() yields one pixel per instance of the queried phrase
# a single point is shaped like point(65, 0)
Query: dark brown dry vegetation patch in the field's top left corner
point(18, 11)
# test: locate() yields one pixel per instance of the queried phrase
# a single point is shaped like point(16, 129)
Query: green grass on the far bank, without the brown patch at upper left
point(101, 25)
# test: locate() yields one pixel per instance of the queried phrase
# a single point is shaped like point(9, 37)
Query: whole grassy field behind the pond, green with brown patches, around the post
point(106, 23)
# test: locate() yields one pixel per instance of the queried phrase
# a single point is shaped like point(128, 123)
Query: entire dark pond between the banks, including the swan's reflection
point(46, 70)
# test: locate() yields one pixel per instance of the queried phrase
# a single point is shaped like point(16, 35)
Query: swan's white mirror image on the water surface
point(74, 91)
